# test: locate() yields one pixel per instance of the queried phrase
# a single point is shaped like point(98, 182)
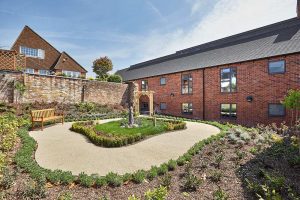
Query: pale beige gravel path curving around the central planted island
point(59, 148)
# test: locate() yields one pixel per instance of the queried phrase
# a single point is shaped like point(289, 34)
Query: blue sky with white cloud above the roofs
point(133, 31)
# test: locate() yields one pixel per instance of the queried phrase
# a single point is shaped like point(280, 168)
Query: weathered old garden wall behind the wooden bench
point(60, 89)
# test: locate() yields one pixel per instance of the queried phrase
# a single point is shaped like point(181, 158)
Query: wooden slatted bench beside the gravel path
point(44, 116)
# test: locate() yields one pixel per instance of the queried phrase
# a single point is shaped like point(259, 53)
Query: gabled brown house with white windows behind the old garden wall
point(42, 58)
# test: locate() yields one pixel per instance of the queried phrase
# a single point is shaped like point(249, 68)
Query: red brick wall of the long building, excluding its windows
point(253, 80)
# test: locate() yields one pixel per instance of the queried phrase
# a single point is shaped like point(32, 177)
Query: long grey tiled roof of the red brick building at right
point(276, 39)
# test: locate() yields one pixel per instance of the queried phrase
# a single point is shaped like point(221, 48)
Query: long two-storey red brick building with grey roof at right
point(241, 78)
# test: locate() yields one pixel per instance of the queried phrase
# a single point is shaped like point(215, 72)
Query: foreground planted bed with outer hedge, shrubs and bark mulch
point(239, 163)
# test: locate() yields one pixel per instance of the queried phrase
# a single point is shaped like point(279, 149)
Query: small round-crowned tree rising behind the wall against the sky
point(101, 67)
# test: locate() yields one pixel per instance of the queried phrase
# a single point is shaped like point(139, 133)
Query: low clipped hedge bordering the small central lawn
point(86, 129)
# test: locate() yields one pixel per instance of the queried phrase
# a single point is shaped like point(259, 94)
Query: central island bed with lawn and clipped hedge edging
point(116, 134)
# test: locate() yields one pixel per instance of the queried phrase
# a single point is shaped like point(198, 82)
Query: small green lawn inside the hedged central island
point(114, 128)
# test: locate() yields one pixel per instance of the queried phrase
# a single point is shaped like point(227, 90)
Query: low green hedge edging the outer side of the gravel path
point(24, 159)
